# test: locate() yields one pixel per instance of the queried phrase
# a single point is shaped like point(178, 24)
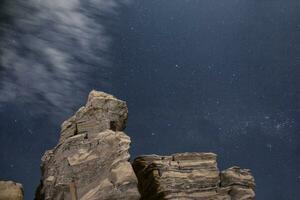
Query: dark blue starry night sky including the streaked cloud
point(197, 75)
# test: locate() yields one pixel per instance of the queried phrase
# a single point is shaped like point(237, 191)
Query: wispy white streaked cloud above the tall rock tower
point(50, 47)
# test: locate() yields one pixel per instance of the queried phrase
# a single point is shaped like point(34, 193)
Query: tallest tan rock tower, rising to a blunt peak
point(90, 161)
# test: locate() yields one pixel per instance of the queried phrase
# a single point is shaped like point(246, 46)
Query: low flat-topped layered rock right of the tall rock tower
point(191, 176)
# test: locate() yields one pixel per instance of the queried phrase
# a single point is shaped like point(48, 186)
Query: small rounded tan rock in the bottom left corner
point(11, 191)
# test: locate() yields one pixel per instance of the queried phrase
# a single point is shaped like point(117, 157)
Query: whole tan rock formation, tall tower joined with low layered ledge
point(91, 162)
